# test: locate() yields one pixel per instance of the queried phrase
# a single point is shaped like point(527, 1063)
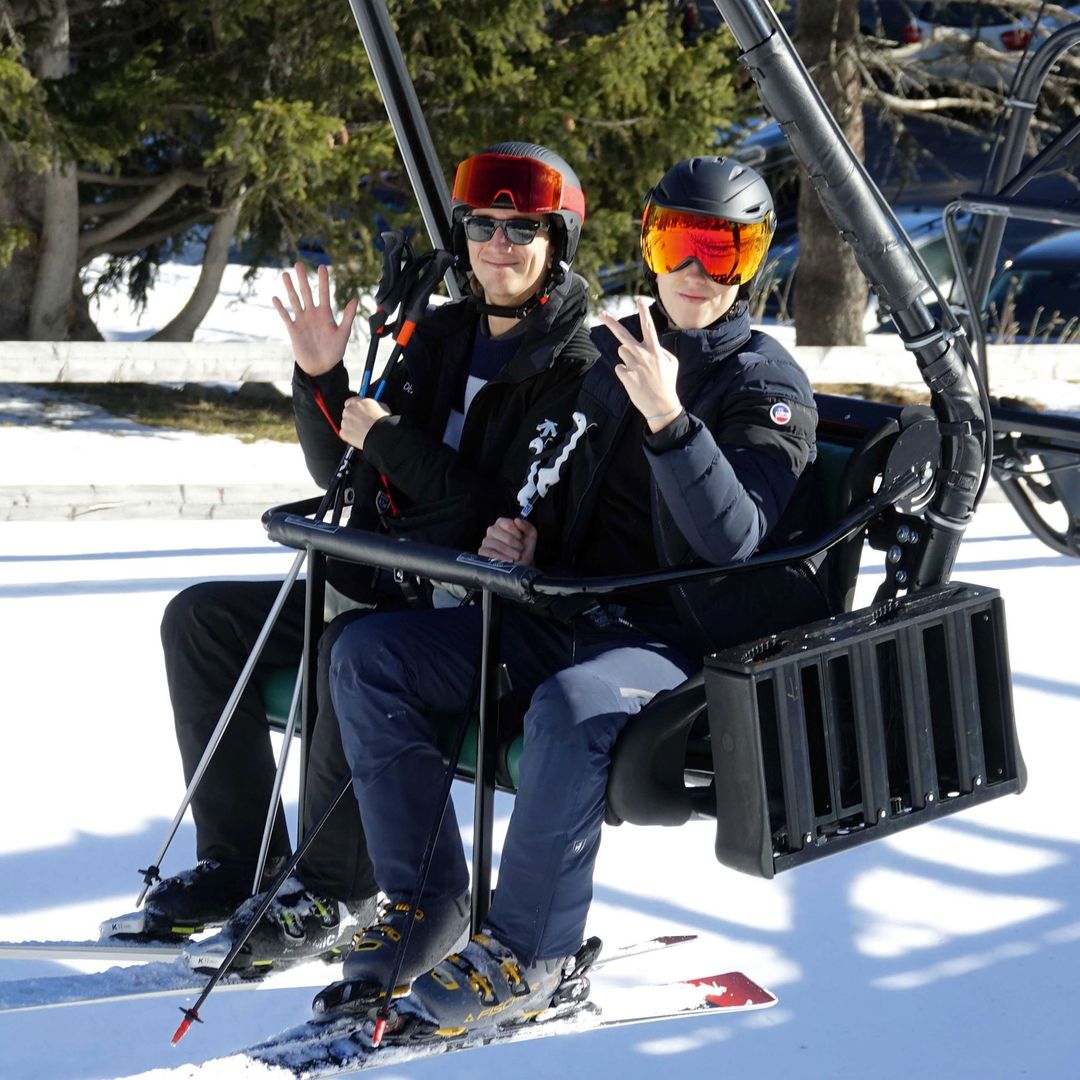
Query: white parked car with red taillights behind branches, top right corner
point(981, 43)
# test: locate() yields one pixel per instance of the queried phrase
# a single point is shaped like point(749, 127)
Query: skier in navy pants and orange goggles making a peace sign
point(701, 431)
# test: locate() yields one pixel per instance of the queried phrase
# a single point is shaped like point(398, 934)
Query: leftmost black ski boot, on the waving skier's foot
point(182, 906)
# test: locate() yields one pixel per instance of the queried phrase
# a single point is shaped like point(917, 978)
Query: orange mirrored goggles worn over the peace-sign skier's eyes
point(730, 252)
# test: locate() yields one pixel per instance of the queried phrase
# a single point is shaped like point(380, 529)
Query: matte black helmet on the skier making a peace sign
point(720, 188)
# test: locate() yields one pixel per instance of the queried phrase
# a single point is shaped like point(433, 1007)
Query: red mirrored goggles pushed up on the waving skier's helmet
point(532, 187)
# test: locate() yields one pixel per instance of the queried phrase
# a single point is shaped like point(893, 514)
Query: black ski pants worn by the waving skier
point(208, 633)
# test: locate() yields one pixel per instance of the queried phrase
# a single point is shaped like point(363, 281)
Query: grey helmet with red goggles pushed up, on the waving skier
point(563, 200)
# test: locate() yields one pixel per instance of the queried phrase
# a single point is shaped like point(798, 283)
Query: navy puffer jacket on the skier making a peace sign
point(735, 479)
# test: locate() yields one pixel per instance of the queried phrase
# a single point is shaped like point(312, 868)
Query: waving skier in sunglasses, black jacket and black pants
point(444, 451)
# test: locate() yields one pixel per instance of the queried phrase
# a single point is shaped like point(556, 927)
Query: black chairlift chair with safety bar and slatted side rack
point(826, 736)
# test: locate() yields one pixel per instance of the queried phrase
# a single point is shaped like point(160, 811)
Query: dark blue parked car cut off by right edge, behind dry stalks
point(1036, 296)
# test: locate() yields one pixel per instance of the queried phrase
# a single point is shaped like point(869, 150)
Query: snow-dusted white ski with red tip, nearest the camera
point(341, 1047)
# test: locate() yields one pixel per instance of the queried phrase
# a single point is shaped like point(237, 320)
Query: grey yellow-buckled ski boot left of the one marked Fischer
point(439, 928)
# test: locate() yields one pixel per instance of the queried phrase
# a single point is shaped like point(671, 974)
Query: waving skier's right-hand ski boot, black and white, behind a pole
point(299, 926)
